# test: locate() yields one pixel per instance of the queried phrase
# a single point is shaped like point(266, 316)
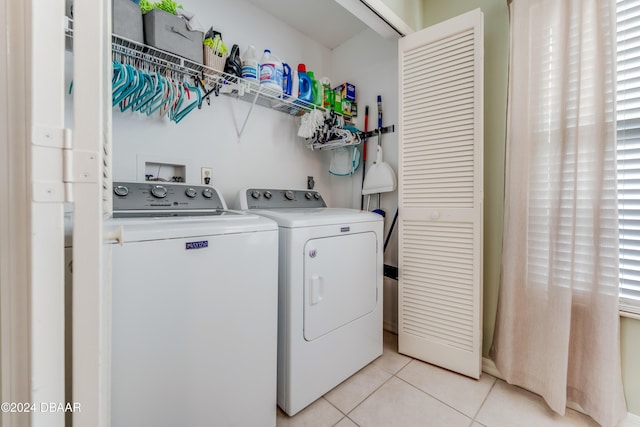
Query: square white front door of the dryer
point(339, 281)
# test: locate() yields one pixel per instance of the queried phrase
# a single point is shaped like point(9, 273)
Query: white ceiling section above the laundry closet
point(324, 21)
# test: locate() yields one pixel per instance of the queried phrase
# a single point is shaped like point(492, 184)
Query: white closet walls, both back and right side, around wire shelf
point(269, 153)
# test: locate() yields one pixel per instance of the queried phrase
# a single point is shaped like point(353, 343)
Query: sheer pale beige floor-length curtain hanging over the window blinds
point(557, 331)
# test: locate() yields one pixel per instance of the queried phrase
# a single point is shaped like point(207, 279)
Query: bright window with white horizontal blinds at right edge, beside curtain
point(628, 135)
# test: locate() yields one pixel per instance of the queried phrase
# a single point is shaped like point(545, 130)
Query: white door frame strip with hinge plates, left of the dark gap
point(47, 137)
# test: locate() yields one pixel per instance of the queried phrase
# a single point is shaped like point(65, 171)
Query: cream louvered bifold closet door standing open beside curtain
point(440, 194)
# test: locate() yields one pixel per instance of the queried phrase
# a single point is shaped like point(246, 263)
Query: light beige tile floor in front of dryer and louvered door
point(396, 390)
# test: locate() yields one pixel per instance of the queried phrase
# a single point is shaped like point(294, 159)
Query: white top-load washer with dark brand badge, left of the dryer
point(194, 310)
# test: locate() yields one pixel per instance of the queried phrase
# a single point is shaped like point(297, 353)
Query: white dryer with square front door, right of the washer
point(330, 291)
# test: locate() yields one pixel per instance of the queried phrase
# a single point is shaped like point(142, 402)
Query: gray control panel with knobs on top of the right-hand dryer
point(265, 198)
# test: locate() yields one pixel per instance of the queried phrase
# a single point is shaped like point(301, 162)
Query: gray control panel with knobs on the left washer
point(164, 198)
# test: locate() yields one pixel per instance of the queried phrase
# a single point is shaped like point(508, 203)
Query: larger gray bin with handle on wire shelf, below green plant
point(169, 32)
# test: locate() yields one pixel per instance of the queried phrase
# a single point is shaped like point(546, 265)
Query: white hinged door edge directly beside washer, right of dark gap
point(91, 195)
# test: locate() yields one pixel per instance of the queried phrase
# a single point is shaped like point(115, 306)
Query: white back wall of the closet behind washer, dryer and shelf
point(269, 153)
